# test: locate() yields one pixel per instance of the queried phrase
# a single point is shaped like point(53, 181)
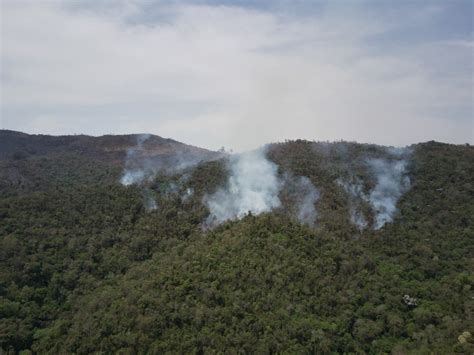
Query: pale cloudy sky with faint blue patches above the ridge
point(240, 74)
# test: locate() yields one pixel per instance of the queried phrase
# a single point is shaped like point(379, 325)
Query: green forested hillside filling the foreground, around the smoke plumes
point(86, 267)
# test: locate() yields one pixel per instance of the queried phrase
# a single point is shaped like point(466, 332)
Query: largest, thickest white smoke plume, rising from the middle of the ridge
point(253, 186)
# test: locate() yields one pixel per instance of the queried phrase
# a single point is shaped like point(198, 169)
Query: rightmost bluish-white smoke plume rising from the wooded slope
point(392, 182)
